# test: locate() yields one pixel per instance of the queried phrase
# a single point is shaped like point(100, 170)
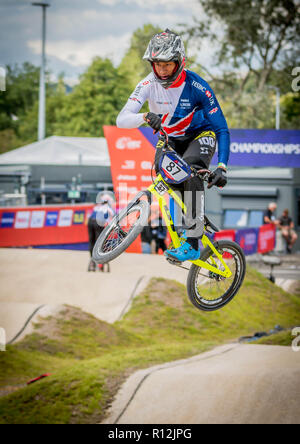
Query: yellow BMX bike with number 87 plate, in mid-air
point(215, 278)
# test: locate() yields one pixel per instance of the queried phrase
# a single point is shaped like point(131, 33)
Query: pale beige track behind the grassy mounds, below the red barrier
point(32, 278)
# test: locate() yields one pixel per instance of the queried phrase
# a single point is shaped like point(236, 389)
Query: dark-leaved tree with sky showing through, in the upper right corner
point(258, 35)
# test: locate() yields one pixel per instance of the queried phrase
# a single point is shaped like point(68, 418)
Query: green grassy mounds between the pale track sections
point(89, 359)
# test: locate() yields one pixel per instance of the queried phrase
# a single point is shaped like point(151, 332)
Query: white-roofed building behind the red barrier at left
point(55, 170)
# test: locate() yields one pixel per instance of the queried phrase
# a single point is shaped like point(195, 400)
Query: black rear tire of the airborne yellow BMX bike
point(194, 293)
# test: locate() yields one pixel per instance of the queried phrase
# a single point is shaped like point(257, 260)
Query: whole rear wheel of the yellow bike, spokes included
point(209, 291)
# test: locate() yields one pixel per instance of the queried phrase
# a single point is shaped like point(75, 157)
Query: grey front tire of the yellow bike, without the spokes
point(103, 257)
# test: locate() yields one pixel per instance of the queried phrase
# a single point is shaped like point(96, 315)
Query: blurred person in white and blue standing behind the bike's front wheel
point(101, 216)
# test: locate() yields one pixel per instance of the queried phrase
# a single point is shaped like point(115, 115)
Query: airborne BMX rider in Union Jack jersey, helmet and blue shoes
point(186, 107)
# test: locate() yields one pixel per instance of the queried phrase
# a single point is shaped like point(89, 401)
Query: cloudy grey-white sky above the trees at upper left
point(79, 30)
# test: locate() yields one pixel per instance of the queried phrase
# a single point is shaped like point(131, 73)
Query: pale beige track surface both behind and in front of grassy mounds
point(232, 384)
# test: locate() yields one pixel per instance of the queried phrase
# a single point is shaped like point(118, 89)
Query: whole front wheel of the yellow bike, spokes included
point(121, 232)
